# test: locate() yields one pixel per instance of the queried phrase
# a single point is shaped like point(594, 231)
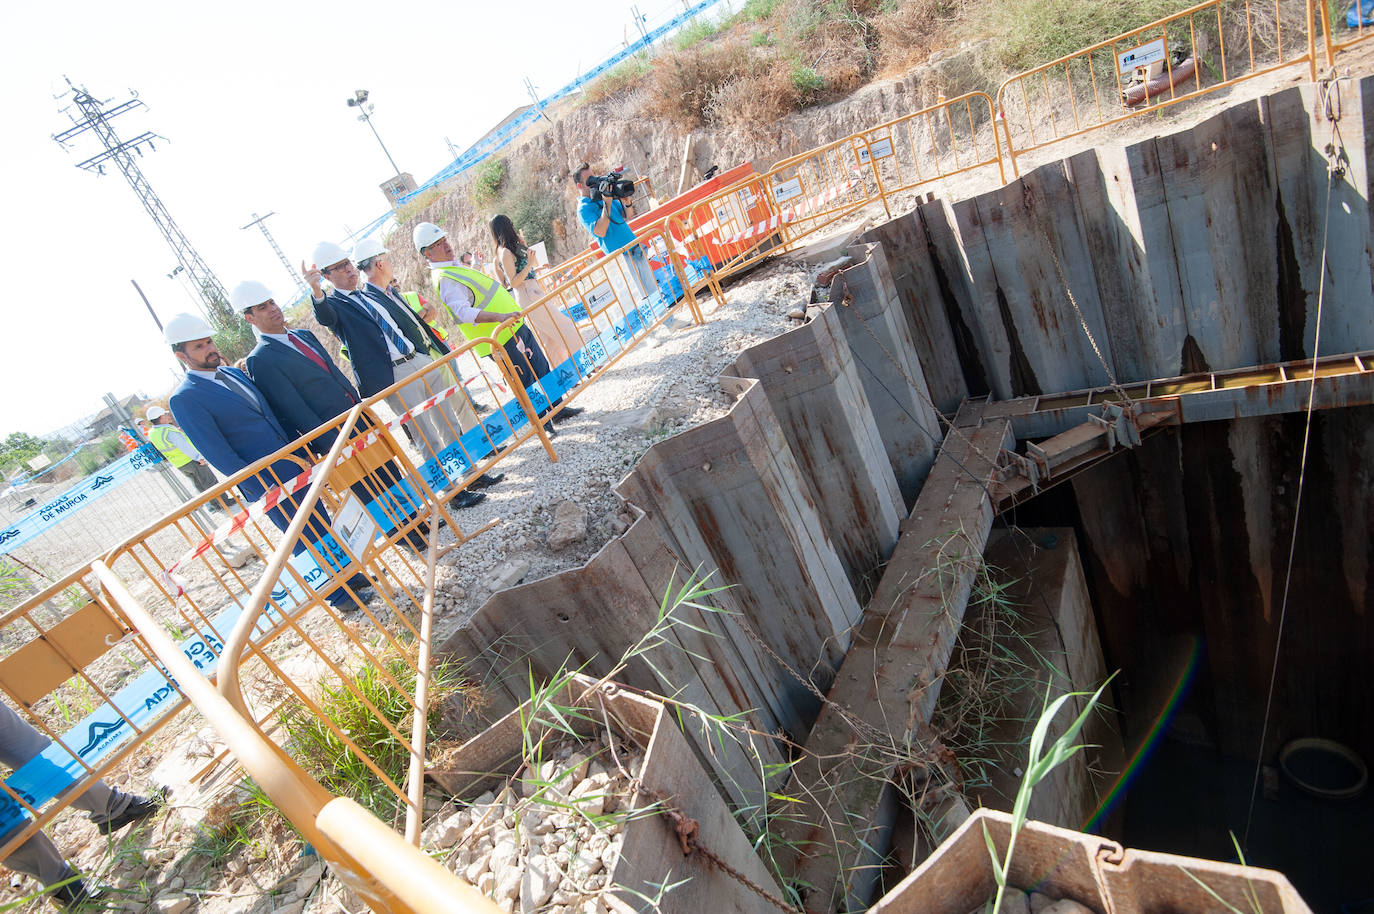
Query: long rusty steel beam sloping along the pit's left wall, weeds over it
point(891, 678)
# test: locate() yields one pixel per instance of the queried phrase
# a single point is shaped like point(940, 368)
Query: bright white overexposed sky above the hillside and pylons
point(254, 100)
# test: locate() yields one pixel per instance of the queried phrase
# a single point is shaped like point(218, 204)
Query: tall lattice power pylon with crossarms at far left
point(95, 118)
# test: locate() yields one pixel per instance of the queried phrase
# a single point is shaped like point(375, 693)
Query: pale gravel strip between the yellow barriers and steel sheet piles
point(663, 386)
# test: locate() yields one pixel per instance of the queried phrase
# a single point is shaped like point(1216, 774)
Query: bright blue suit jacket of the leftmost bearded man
point(230, 432)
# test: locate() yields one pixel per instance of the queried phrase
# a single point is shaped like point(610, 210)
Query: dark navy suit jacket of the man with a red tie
point(300, 394)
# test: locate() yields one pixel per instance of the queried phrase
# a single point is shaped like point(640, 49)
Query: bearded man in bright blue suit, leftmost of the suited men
point(232, 425)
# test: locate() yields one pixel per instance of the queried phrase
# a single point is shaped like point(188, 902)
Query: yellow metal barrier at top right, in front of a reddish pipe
point(1200, 50)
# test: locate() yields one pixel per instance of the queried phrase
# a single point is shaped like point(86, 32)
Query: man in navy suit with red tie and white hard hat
point(306, 390)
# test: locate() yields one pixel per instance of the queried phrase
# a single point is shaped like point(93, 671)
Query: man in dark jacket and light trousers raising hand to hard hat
point(387, 344)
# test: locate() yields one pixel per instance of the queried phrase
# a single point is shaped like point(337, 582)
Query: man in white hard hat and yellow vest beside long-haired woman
point(479, 304)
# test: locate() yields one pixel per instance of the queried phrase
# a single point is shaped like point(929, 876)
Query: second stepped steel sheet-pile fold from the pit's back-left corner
point(814, 390)
